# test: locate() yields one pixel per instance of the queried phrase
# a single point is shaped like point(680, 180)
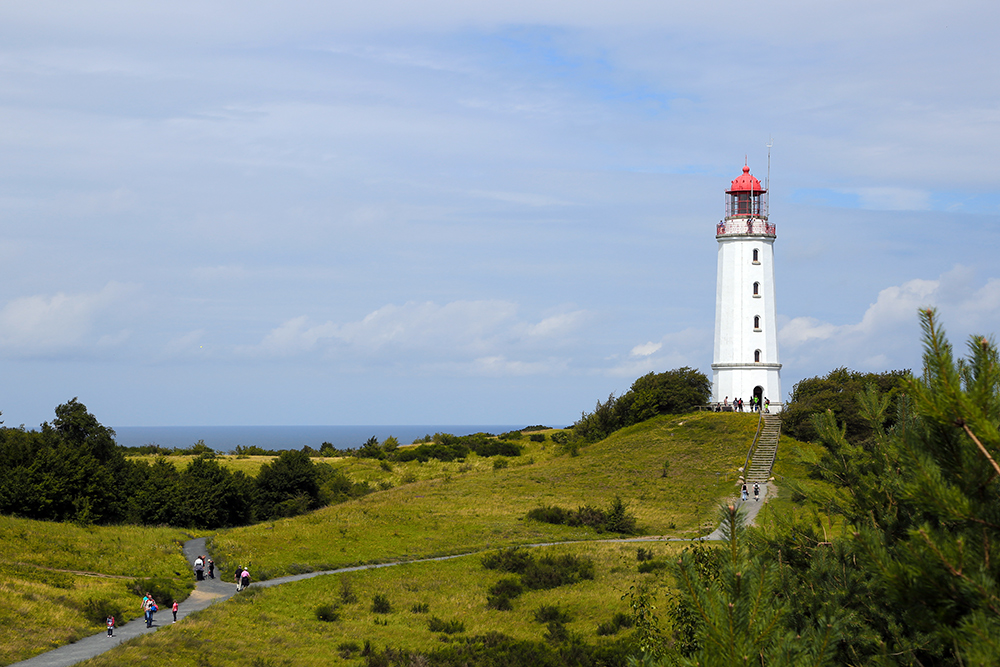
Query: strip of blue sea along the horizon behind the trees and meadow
point(226, 438)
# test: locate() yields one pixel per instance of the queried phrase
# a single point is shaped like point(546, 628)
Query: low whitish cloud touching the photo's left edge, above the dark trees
point(44, 325)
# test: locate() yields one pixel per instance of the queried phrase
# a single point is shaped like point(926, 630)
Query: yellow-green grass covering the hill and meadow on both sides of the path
point(672, 472)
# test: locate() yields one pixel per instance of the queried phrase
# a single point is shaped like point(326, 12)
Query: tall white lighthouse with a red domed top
point(746, 337)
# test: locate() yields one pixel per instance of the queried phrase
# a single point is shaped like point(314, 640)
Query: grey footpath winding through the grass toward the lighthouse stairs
point(210, 591)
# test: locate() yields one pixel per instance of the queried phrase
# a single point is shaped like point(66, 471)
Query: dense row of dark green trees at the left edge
point(72, 470)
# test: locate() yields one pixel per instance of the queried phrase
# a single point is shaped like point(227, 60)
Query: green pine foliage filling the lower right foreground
point(915, 578)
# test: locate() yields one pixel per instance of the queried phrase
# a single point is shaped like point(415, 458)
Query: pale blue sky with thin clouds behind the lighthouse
point(399, 212)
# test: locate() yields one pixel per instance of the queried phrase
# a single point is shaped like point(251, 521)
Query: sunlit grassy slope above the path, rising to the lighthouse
point(671, 471)
